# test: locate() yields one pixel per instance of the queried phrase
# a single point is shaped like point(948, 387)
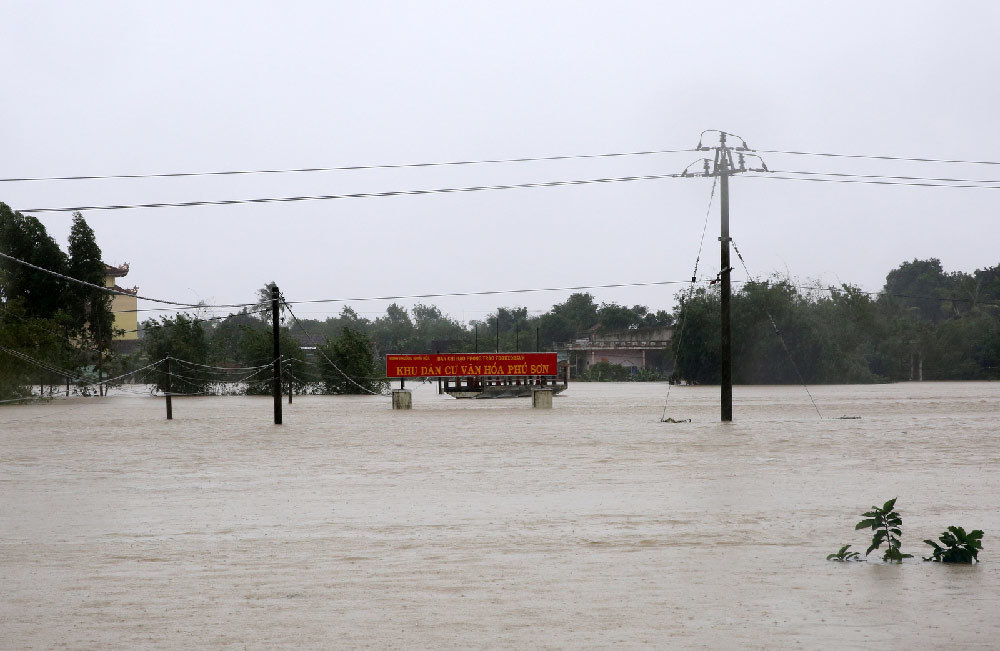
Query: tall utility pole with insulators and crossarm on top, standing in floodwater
point(724, 167)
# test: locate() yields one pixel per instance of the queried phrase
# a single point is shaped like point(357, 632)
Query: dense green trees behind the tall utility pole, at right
point(945, 325)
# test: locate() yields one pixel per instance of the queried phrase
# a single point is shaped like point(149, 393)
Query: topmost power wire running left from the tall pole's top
point(346, 168)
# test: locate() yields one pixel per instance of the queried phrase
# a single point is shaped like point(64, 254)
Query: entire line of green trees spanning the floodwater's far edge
point(943, 325)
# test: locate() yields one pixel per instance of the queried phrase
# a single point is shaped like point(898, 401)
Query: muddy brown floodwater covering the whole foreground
point(490, 524)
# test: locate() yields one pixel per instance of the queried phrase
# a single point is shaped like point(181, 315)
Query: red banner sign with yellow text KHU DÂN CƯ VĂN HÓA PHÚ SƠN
point(471, 364)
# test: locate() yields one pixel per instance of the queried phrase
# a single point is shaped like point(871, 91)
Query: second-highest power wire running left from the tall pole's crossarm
point(358, 195)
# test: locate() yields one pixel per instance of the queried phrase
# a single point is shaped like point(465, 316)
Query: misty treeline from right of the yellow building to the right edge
point(925, 321)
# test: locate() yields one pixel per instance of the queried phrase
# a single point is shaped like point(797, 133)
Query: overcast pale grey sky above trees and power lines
point(121, 87)
